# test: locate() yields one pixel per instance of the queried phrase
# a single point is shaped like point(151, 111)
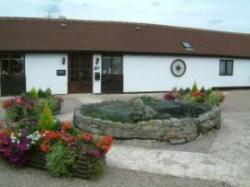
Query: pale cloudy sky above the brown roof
point(228, 15)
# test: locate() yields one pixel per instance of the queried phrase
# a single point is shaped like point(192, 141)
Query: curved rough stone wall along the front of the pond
point(175, 131)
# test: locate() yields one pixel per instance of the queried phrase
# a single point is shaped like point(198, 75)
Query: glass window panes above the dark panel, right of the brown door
point(112, 65)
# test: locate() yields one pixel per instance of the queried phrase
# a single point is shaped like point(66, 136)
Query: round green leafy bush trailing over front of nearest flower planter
point(60, 160)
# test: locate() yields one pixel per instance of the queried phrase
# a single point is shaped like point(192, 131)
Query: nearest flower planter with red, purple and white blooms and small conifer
point(58, 147)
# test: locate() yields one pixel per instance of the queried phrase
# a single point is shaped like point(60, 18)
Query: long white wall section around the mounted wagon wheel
point(144, 73)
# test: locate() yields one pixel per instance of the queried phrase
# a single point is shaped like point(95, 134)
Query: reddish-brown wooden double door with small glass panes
point(80, 73)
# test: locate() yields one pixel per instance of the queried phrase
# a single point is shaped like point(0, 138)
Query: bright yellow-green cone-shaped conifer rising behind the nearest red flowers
point(46, 119)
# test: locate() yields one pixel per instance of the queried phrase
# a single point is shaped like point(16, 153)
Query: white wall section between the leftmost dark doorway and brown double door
point(40, 70)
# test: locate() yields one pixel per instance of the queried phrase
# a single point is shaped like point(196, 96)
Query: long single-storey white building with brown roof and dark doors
point(73, 56)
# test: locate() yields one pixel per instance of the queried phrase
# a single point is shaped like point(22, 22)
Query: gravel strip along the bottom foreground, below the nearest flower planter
point(114, 177)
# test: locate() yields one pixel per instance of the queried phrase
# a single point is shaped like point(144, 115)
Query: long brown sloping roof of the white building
point(34, 34)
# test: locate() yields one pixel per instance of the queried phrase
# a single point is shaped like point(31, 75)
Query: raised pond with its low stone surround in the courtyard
point(148, 118)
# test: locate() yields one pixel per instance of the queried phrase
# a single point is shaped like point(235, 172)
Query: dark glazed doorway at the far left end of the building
point(12, 74)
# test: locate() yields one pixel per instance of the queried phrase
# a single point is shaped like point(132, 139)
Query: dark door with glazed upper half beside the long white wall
point(112, 74)
